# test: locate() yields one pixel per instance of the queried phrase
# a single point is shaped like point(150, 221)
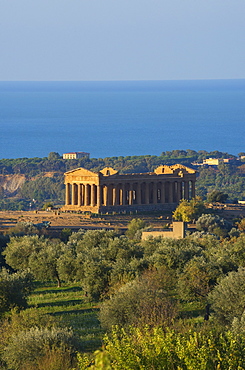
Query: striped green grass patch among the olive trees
point(69, 304)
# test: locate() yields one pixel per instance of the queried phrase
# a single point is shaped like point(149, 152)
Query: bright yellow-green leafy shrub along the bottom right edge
point(157, 349)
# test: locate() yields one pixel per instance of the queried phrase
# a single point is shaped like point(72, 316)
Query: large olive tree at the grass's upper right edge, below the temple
point(92, 256)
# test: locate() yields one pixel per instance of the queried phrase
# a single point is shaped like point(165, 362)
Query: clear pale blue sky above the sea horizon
point(122, 39)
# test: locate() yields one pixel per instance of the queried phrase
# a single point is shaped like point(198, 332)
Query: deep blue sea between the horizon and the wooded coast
point(121, 118)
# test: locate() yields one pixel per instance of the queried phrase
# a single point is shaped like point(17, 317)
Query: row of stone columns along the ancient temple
point(128, 193)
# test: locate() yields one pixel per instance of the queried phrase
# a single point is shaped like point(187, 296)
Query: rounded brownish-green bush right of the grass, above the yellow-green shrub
point(145, 301)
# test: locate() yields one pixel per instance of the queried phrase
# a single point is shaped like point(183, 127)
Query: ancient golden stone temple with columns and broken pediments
point(109, 191)
